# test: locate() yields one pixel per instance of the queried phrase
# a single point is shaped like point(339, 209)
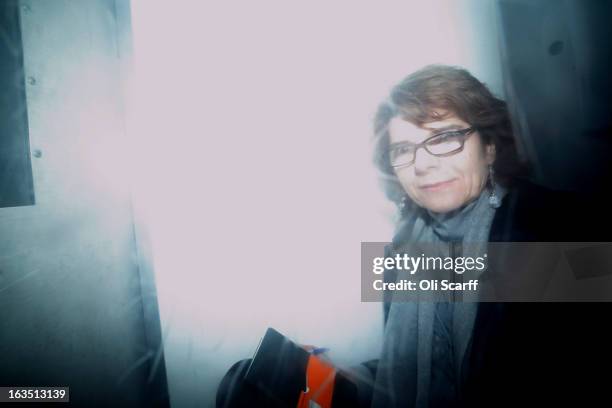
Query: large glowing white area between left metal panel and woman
point(251, 122)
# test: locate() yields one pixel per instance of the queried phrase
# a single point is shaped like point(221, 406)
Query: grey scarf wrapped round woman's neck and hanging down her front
point(404, 371)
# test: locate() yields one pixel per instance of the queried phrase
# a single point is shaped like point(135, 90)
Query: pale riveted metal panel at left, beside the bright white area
point(70, 287)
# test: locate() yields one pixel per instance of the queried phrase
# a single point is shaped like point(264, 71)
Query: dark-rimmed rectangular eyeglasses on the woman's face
point(441, 145)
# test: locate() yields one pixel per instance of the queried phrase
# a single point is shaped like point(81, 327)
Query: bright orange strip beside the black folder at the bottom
point(320, 378)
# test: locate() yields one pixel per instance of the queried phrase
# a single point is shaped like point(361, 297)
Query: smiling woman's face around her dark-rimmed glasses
point(442, 184)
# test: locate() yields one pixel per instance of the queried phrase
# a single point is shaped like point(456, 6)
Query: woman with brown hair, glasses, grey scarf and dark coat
point(446, 155)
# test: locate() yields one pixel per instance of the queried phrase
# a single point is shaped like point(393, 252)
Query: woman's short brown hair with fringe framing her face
point(423, 96)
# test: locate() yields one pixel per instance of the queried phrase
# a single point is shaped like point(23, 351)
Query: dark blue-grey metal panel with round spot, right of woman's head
point(557, 57)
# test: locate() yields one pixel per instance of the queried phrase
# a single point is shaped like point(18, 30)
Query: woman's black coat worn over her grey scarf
point(523, 354)
